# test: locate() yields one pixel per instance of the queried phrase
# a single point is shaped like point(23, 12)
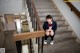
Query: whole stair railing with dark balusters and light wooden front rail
point(38, 33)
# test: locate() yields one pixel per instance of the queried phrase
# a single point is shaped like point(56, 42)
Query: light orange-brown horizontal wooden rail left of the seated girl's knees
point(28, 35)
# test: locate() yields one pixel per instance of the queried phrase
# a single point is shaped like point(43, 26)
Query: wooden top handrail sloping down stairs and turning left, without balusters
point(28, 35)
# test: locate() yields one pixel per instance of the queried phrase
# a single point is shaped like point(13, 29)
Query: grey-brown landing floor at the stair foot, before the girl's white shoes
point(63, 47)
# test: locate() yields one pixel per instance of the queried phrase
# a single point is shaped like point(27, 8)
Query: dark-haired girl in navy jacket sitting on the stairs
point(50, 27)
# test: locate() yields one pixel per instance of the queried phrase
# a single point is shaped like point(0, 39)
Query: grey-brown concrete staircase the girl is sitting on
point(64, 38)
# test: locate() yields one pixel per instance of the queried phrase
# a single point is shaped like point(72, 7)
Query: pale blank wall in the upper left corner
point(11, 6)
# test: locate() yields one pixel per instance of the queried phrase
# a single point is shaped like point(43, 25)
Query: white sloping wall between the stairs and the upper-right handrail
point(71, 18)
